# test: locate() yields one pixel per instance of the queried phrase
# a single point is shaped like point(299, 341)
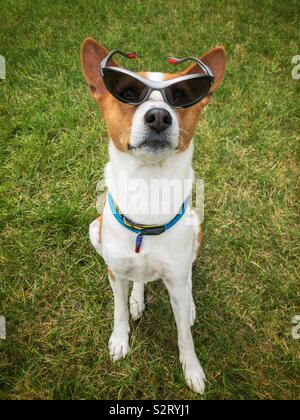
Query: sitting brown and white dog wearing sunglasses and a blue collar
point(151, 118)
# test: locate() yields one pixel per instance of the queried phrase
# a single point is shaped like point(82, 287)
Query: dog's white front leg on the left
point(119, 340)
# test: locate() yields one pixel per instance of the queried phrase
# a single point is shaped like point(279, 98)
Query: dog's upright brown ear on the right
point(216, 61)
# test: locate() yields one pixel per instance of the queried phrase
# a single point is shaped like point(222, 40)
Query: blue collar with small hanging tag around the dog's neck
point(142, 230)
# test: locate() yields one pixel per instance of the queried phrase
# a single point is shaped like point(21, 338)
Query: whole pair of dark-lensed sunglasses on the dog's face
point(133, 89)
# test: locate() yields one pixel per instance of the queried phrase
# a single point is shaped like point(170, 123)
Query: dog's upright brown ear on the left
point(91, 55)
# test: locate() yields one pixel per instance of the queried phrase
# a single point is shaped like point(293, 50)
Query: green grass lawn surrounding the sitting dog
point(54, 291)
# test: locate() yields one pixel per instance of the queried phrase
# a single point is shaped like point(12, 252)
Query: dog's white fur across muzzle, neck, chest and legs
point(168, 256)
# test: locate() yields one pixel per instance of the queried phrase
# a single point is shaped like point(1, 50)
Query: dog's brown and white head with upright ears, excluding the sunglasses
point(152, 130)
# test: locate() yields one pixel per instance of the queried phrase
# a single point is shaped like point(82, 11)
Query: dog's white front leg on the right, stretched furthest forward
point(180, 294)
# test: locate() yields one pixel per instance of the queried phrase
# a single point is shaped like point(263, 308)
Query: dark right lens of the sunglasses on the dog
point(188, 92)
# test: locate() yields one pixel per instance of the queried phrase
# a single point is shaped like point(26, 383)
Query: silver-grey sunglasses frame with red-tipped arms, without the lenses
point(157, 86)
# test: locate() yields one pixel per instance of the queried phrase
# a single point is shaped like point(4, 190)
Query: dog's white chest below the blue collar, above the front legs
point(160, 256)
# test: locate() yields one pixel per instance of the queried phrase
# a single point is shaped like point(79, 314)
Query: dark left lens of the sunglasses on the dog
point(124, 87)
